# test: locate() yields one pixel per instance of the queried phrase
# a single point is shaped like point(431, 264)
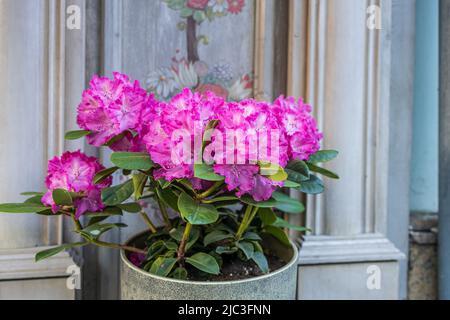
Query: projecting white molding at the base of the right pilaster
point(347, 249)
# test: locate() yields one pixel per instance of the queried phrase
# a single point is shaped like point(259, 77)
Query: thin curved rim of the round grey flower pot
point(289, 264)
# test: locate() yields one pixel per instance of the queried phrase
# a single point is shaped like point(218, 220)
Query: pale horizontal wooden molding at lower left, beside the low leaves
point(19, 264)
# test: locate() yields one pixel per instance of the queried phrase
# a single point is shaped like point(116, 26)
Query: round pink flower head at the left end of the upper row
point(110, 107)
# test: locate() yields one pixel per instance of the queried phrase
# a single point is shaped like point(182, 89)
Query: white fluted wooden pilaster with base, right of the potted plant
point(347, 72)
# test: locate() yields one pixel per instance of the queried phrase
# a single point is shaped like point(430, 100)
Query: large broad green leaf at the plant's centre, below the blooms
point(196, 213)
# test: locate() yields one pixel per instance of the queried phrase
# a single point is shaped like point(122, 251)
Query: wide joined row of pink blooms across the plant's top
point(172, 132)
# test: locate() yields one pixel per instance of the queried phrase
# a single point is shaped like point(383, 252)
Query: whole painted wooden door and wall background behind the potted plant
point(369, 68)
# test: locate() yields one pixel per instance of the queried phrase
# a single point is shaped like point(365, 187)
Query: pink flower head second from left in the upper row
point(171, 129)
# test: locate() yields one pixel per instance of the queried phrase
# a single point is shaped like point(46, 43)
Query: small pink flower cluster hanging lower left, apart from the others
point(74, 171)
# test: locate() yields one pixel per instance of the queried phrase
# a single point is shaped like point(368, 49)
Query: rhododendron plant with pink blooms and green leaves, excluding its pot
point(219, 171)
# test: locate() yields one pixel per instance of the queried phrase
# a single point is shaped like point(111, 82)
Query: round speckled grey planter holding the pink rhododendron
point(137, 284)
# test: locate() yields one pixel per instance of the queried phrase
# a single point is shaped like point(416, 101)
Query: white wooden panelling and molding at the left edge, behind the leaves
point(42, 78)
